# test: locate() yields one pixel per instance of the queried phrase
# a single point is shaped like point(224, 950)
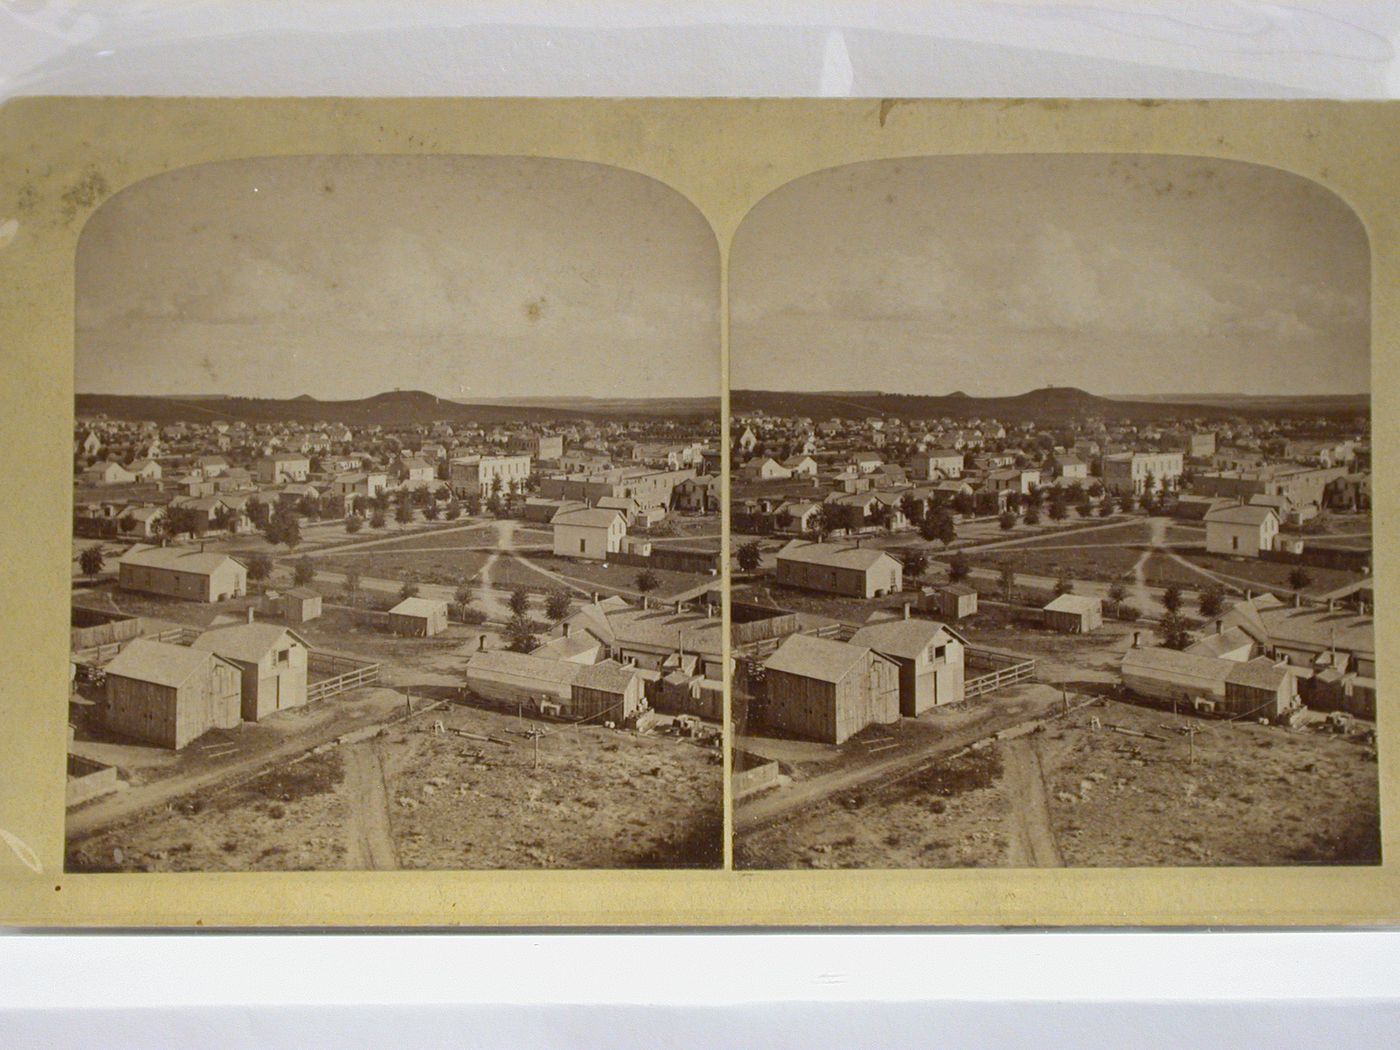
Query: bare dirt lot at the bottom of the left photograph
point(409, 797)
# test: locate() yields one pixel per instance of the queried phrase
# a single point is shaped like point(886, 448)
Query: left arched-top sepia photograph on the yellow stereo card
point(395, 520)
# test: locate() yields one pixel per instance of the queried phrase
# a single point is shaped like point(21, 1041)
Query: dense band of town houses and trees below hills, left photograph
point(129, 477)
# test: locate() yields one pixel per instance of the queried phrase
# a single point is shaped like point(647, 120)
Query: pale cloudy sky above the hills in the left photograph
point(349, 276)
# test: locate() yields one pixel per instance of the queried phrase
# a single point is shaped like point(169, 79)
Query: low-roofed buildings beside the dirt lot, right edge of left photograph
point(610, 663)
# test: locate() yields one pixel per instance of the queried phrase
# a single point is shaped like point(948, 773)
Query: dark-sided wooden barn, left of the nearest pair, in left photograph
point(170, 695)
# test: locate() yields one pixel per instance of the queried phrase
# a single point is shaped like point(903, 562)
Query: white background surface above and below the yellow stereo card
point(797, 990)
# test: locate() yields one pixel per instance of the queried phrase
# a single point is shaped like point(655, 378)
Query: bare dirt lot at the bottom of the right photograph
point(1083, 797)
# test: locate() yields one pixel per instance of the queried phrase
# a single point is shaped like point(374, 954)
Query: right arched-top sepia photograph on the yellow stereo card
point(1051, 517)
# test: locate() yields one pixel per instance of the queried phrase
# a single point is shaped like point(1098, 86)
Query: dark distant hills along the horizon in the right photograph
point(1045, 405)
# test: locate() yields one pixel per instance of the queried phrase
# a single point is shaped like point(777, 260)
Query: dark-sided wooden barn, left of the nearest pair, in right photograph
point(828, 691)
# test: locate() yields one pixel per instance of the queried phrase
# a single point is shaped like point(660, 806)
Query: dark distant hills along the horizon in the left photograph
point(395, 408)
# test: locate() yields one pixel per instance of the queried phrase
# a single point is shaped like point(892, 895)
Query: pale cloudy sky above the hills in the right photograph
point(996, 275)
